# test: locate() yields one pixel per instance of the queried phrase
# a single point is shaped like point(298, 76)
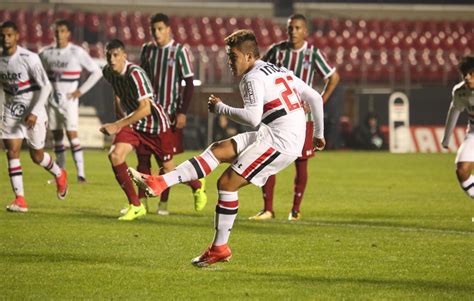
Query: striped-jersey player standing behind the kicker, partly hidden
point(304, 60)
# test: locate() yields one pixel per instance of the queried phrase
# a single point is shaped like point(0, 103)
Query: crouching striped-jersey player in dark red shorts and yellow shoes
point(145, 123)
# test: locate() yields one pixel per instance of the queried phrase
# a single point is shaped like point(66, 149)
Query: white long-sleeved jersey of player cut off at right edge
point(463, 99)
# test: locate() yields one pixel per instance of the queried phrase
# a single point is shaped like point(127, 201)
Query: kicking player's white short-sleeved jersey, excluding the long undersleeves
point(275, 90)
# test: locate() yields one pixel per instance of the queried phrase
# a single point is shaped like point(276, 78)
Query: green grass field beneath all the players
point(375, 226)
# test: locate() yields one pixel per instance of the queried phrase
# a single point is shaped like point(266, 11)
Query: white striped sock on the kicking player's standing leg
point(226, 212)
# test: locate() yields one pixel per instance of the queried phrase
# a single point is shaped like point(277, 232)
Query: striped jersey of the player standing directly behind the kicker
point(304, 62)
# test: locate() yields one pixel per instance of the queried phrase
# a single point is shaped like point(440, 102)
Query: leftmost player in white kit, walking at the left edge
point(26, 89)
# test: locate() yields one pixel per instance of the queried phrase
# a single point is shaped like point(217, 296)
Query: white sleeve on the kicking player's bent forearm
point(249, 115)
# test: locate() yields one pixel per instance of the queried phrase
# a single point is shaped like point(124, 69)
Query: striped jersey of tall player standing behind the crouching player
point(167, 66)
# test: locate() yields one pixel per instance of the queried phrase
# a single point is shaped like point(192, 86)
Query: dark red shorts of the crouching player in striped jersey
point(160, 145)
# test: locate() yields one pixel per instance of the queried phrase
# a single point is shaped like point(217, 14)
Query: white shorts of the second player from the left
point(64, 116)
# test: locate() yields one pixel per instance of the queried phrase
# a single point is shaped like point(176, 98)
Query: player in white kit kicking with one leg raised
point(271, 97)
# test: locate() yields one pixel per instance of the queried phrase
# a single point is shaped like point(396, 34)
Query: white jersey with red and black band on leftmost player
point(21, 78)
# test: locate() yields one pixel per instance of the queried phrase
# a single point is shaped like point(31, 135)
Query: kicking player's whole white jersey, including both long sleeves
point(272, 98)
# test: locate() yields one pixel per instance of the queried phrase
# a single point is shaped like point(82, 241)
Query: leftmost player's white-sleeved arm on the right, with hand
point(37, 72)
